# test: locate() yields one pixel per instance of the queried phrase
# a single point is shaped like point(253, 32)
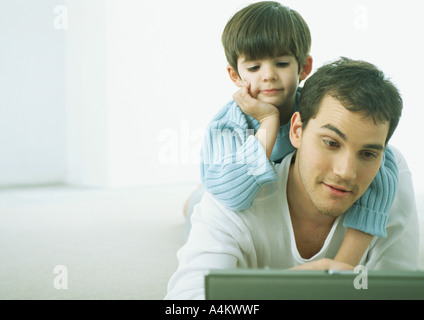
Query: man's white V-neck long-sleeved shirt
point(262, 236)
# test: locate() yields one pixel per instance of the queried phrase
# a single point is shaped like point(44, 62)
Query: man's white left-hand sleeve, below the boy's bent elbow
point(218, 240)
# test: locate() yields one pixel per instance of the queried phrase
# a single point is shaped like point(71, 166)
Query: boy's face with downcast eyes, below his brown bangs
point(273, 80)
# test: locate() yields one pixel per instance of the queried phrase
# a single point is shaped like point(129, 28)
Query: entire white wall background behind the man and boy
point(143, 78)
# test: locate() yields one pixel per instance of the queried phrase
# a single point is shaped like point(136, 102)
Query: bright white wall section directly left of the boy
point(166, 79)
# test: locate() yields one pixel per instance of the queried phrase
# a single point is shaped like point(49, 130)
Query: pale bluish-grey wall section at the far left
point(32, 94)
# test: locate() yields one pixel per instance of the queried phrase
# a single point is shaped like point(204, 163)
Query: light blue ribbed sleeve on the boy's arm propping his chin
point(233, 162)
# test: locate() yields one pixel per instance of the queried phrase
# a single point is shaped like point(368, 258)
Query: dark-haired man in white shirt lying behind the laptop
point(347, 113)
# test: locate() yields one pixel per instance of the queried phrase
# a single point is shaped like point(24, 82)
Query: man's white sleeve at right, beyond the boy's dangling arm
point(400, 249)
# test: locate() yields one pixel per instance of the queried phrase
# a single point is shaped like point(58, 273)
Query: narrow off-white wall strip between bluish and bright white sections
point(86, 94)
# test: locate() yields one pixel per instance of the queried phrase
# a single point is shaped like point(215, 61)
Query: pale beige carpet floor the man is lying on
point(114, 244)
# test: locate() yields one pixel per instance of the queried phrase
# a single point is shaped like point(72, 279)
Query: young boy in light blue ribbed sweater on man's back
point(267, 46)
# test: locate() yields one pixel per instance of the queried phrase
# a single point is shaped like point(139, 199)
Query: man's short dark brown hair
point(359, 86)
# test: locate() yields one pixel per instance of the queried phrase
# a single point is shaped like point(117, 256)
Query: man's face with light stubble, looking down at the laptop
point(339, 153)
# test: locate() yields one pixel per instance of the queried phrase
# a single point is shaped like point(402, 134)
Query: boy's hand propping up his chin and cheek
point(253, 107)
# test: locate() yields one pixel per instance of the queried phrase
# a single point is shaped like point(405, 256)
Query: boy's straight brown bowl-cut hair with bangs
point(264, 30)
